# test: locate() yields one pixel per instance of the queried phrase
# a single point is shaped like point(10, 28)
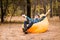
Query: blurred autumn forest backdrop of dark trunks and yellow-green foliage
point(11, 10)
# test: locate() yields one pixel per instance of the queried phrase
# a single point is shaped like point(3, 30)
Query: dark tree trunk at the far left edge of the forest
point(3, 9)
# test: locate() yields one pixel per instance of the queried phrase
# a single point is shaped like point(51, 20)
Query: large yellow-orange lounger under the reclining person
point(39, 27)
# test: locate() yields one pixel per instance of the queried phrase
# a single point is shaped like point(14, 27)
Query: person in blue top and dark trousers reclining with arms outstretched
point(30, 21)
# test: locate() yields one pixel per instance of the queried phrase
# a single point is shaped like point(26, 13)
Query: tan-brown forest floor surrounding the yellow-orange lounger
point(13, 31)
